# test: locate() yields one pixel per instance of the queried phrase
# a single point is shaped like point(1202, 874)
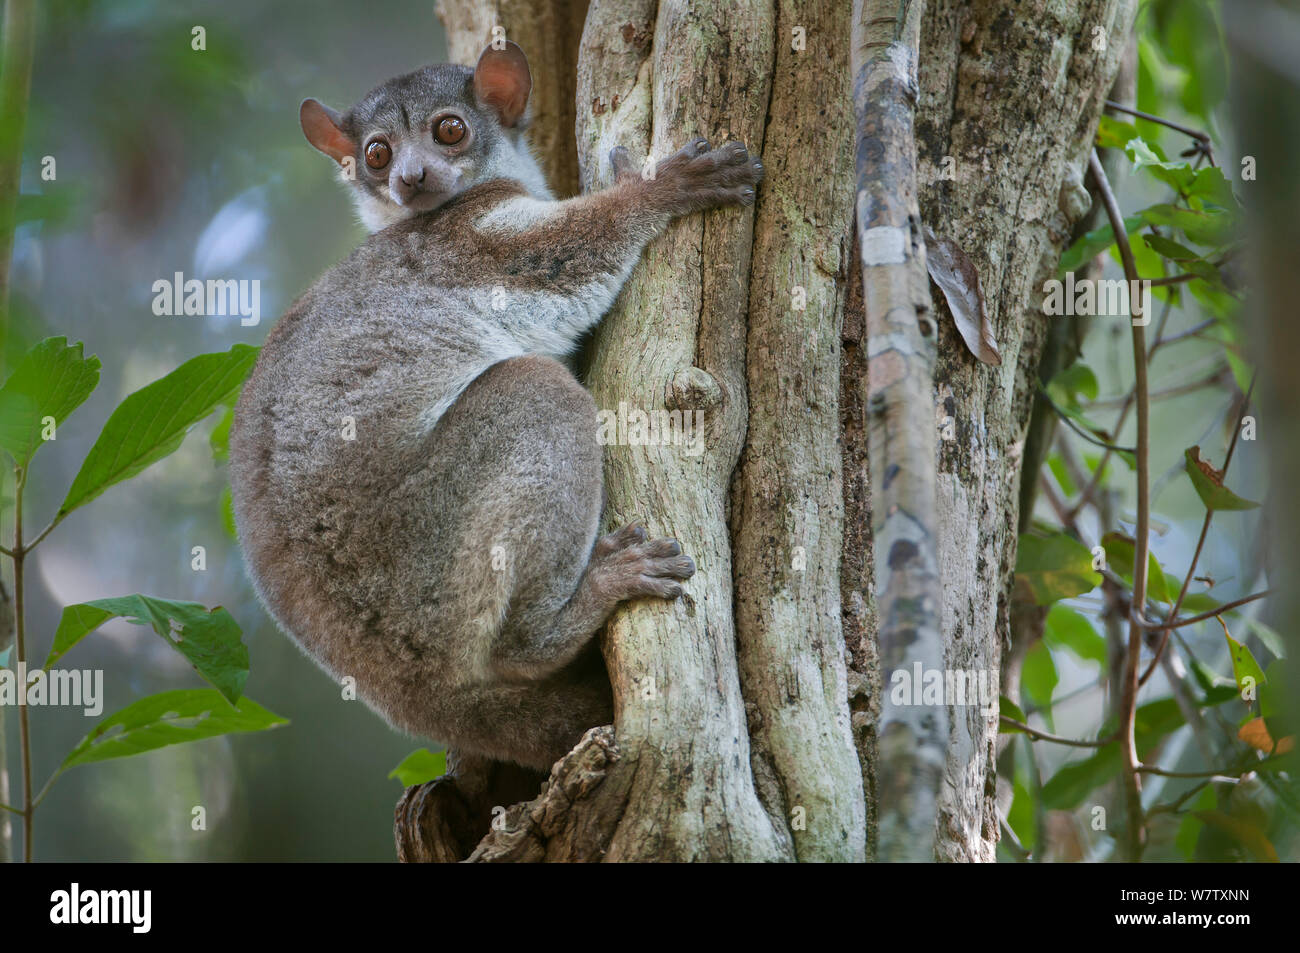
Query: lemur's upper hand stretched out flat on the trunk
point(696, 177)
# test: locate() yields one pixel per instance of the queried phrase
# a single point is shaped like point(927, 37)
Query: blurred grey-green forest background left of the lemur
point(177, 161)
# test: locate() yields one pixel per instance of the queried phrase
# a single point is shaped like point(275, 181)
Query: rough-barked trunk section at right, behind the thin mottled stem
point(1012, 93)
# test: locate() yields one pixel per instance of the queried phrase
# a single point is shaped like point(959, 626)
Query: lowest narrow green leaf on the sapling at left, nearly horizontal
point(171, 718)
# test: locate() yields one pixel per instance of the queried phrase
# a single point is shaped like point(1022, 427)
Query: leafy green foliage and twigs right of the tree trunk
point(1185, 239)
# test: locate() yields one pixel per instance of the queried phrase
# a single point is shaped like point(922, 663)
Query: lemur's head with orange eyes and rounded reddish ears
point(417, 141)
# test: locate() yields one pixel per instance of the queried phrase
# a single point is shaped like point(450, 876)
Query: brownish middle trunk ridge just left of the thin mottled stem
point(788, 512)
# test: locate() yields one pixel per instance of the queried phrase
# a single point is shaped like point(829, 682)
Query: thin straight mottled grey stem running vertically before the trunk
point(900, 422)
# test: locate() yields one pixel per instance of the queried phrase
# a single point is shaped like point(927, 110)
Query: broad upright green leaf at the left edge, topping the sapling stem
point(53, 380)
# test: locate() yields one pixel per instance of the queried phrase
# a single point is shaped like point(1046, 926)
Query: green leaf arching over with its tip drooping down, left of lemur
point(209, 639)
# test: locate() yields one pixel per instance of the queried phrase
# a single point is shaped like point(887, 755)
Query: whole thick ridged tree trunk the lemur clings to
point(746, 713)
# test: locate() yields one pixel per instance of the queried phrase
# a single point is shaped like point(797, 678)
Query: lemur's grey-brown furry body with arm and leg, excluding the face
point(448, 557)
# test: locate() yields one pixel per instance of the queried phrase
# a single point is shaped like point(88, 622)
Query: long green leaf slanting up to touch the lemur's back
point(153, 422)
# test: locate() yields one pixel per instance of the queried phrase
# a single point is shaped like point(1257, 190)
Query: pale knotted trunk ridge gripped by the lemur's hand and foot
point(677, 340)
